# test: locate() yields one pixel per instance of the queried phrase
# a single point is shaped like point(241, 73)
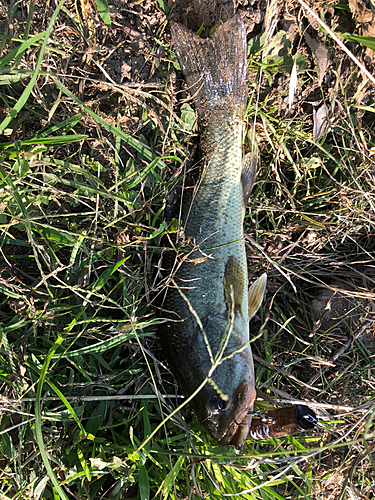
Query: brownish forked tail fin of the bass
point(215, 69)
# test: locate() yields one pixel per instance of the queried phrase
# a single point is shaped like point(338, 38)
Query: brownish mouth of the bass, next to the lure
point(239, 420)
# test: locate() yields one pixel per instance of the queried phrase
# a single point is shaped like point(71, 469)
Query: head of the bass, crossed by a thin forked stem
point(225, 402)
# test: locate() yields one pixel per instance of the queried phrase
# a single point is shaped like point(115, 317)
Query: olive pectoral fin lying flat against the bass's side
point(233, 284)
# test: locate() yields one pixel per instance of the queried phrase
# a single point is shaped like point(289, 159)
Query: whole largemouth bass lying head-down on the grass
point(208, 343)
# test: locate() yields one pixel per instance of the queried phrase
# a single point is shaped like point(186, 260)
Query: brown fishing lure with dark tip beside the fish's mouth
point(282, 422)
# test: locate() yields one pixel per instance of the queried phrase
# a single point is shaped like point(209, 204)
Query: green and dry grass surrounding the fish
point(89, 410)
